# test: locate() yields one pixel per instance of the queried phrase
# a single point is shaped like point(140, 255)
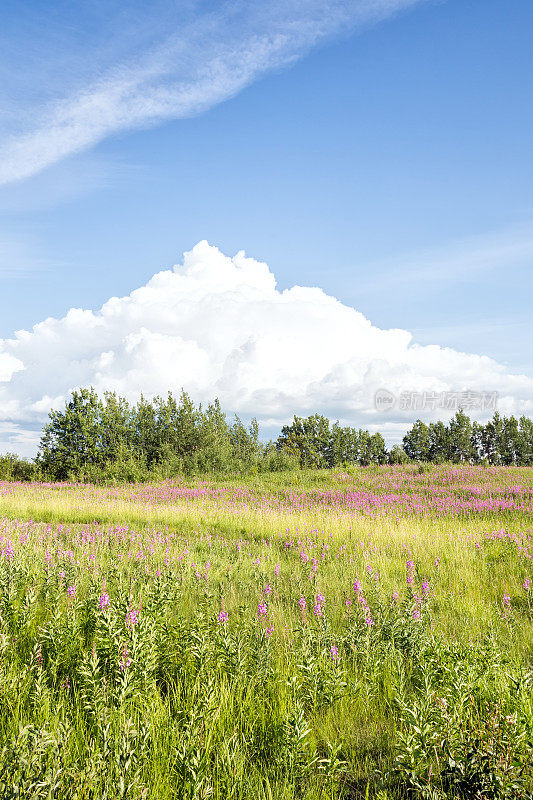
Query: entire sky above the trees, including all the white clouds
point(370, 157)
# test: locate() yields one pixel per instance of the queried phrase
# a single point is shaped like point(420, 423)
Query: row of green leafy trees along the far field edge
point(107, 439)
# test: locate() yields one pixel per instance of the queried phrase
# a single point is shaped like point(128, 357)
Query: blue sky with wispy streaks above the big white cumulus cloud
point(384, 157)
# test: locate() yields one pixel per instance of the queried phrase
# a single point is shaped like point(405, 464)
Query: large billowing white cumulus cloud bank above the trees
point(218, 326)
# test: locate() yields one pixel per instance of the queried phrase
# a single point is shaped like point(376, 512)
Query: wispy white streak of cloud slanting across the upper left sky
point(206, 58)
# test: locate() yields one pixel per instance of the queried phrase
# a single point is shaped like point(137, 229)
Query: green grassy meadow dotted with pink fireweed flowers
point(365, 633)
